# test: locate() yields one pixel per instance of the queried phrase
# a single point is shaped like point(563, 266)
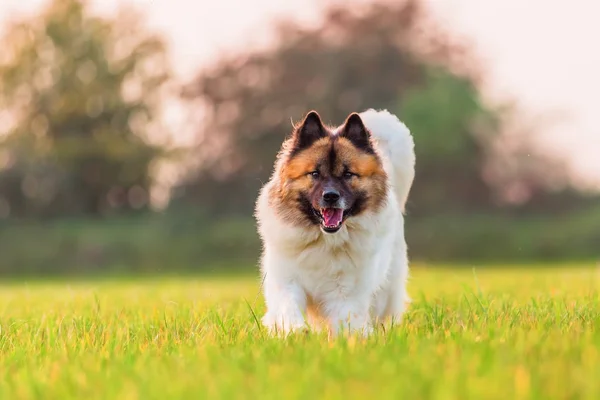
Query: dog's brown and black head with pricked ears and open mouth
point(326, 178)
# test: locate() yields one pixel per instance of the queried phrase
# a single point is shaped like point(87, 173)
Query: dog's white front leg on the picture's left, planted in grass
point(286, 303)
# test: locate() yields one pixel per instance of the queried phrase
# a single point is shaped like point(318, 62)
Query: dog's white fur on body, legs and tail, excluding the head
point(355, 276)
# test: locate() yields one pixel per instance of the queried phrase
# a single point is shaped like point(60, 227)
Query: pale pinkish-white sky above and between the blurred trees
point(543, 53)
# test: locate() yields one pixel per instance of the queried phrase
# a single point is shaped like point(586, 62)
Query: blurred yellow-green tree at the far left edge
point(77, 94)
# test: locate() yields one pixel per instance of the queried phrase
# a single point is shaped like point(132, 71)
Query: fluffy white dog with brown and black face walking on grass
point(331, 221)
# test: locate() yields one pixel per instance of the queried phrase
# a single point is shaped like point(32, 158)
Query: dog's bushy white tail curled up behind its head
point(395, 143)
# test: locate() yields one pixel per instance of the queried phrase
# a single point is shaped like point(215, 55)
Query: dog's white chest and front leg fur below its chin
point(339, 275)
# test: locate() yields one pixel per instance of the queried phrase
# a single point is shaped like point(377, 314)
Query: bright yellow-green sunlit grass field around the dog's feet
point(498, 334)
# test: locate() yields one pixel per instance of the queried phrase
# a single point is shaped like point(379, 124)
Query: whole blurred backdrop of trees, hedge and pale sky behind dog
point(134, 135)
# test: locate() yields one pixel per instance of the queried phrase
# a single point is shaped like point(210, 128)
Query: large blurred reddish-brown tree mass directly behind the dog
point(385, 55)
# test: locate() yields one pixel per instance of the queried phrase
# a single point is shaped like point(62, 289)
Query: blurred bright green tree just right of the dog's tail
point(453, 132)
